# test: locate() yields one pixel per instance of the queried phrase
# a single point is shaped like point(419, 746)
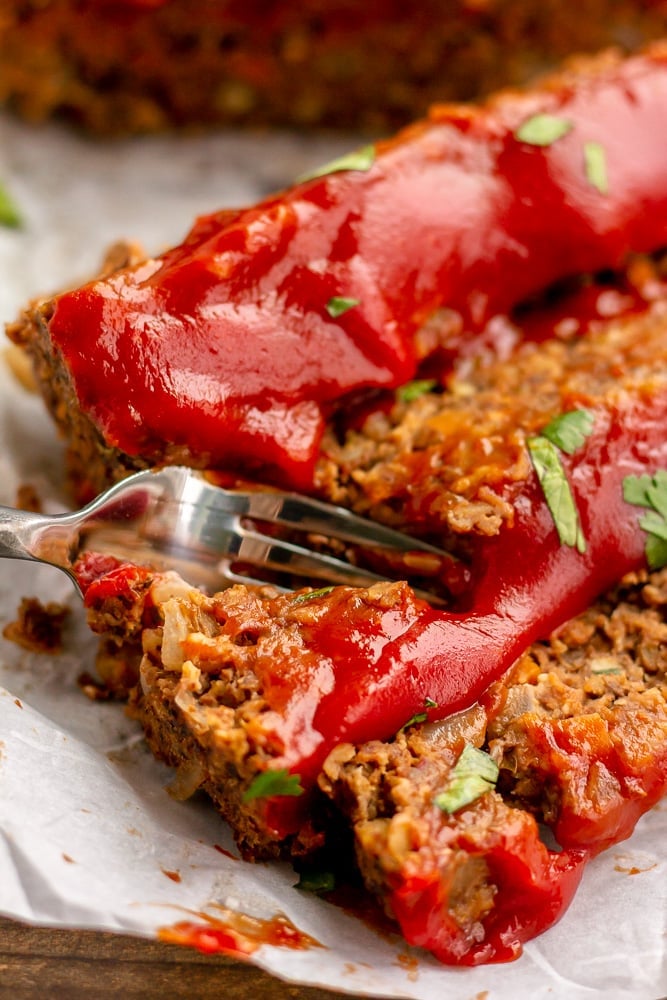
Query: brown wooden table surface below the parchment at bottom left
point(38, 963)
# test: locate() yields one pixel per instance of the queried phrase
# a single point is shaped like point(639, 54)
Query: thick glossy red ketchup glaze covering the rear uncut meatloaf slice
point(224, 344)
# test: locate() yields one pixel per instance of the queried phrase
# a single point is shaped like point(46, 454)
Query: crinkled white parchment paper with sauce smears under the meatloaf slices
point(88, 835)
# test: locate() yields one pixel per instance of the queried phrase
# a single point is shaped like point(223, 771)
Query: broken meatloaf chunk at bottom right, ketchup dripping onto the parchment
point(578, 729)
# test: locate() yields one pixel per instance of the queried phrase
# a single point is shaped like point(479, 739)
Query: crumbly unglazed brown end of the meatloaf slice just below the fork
point(212, 674)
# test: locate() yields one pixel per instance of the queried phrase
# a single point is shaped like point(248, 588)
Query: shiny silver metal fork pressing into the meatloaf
point(175, 519)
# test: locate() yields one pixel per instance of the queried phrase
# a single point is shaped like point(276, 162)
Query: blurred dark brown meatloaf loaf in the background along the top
point(135, 66)
